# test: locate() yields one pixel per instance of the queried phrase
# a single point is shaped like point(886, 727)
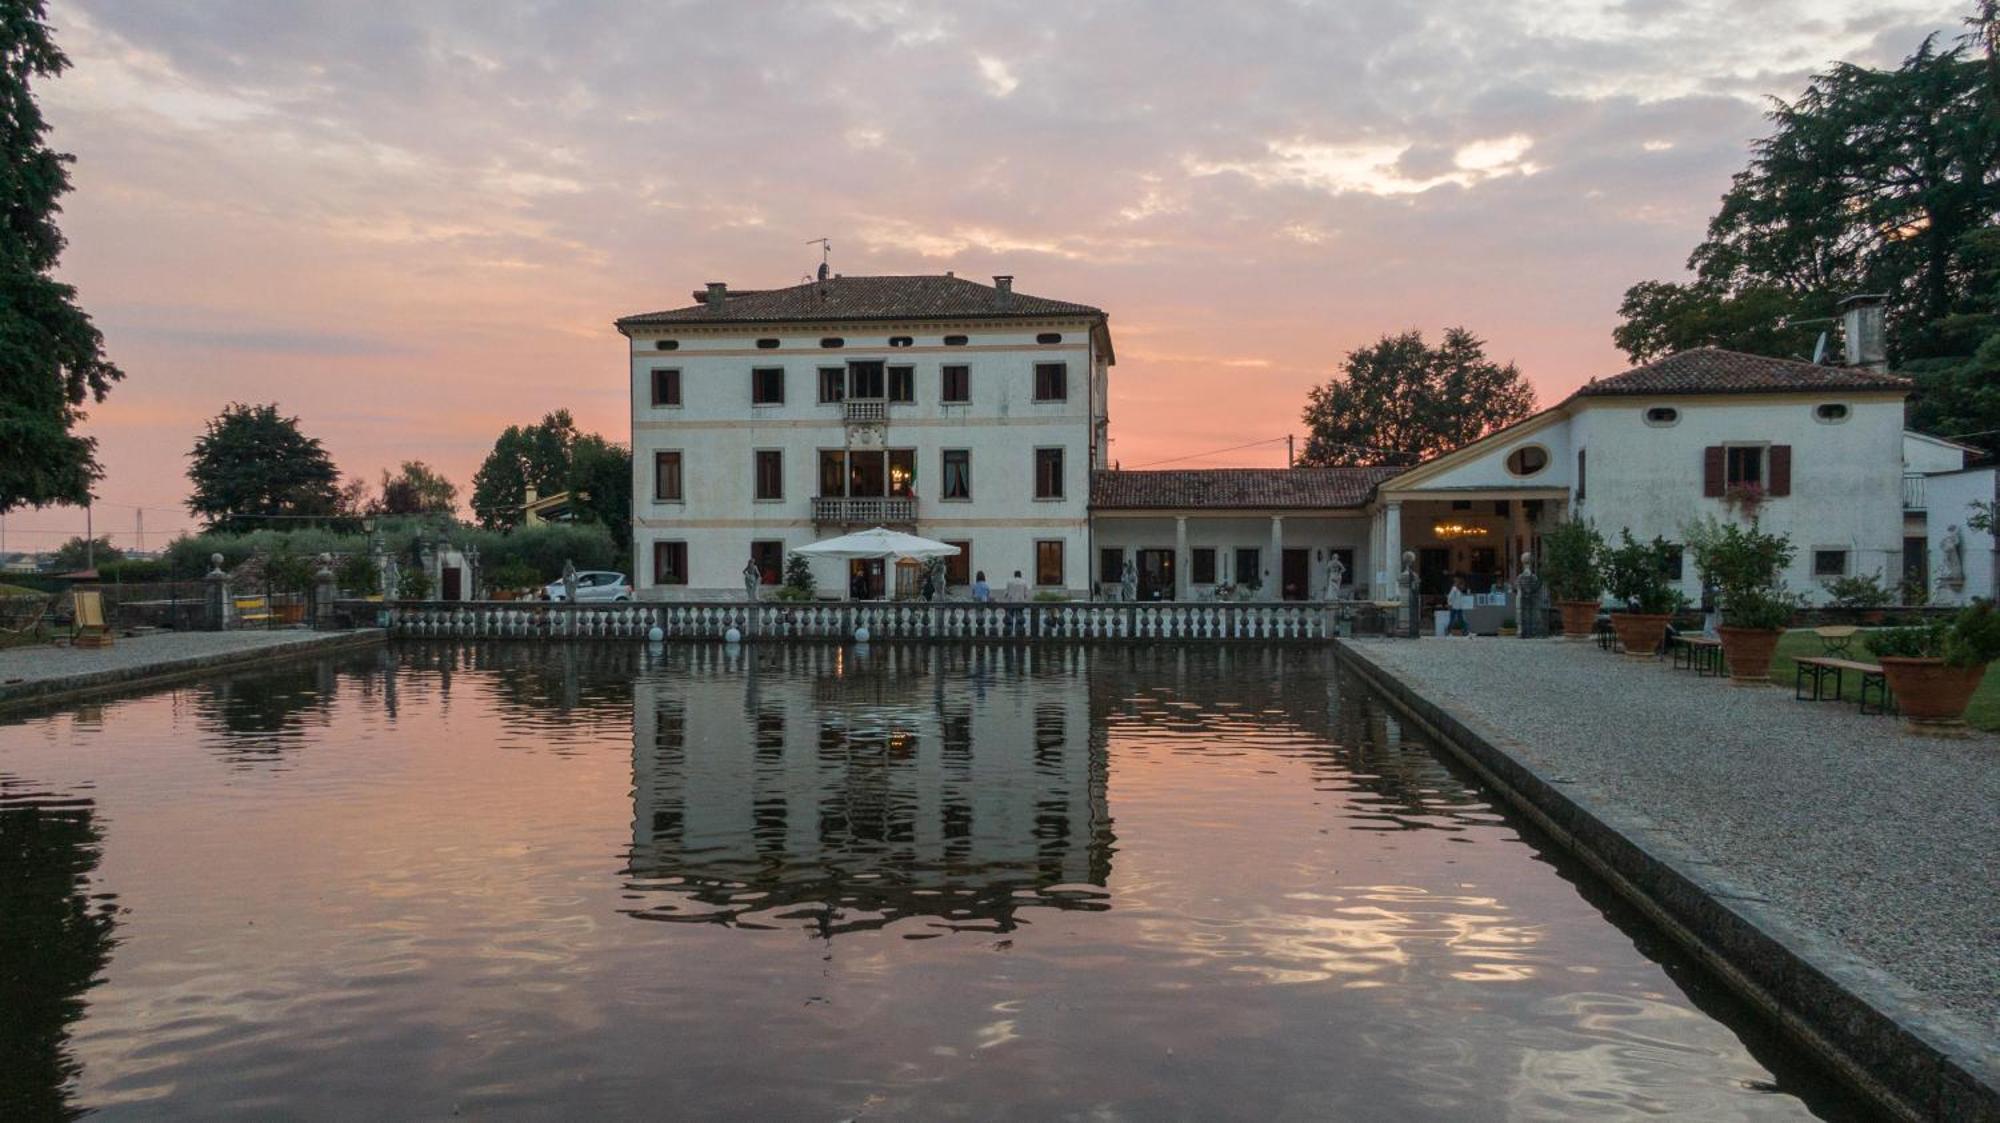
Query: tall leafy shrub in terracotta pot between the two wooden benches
point(1745, 564)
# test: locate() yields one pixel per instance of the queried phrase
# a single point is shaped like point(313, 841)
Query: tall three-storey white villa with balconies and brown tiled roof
point(933, 405)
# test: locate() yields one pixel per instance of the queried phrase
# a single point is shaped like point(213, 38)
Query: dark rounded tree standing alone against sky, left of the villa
point(255, 465)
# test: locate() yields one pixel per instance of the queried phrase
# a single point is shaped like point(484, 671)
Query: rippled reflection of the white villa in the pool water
point(863, 794)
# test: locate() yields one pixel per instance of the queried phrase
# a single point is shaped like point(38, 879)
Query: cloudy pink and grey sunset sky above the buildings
point(413, 223)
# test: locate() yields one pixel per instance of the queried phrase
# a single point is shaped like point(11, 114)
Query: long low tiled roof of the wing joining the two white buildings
point(1223, 489)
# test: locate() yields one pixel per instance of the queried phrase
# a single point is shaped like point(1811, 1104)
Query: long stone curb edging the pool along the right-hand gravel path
point(1855, 1018)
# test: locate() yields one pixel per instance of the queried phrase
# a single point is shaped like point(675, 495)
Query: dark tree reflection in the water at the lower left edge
point(55, 940)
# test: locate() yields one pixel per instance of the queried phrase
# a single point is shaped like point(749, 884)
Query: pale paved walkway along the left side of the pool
point(47, 670)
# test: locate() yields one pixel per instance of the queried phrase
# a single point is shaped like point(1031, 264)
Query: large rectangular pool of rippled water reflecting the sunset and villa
point(817, 884)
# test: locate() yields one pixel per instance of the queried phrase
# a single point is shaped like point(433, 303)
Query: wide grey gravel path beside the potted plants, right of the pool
point(1871, 838)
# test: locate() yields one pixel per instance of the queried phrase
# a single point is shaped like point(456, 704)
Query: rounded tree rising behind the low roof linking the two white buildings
point(1403, 401)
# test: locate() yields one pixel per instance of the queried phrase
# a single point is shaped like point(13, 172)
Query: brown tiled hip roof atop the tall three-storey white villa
point(865, 299)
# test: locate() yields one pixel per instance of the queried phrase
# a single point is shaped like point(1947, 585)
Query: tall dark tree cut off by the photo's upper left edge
point(51, 353)
